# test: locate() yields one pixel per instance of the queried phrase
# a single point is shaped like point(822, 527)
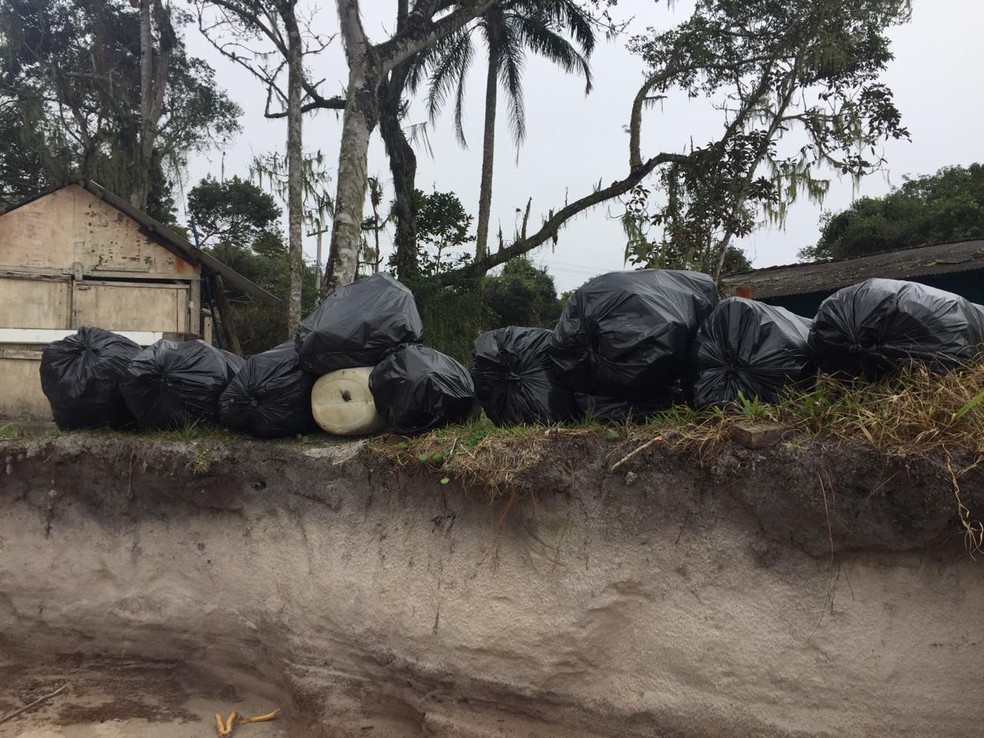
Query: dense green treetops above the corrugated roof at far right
point(944, 207)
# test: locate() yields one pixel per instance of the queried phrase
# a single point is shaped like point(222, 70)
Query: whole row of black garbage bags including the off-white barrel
point(628, 345)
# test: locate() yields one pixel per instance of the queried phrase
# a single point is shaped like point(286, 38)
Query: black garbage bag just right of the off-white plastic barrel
point(417, 388)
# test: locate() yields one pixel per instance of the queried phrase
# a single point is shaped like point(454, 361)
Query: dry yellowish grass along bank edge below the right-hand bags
point(915, 414)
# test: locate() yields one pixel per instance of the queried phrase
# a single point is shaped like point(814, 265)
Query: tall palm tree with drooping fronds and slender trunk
point(540, 26)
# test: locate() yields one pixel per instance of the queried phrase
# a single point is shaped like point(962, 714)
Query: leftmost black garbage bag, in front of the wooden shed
point(80, 376)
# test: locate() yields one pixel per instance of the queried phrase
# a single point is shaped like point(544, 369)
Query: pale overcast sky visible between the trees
point(573, 140)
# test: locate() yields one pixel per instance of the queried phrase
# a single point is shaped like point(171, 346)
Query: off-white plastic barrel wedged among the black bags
point(342, 404)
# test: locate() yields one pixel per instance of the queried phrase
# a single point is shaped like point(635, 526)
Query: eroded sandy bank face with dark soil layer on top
point(739, 596)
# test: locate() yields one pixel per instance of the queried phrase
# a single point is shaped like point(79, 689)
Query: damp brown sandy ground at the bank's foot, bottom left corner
point(118, 699)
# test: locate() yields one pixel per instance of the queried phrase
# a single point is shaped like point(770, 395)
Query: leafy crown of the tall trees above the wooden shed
point(70, 73)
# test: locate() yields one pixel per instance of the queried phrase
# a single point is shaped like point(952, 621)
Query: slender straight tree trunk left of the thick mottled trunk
point(295, 175)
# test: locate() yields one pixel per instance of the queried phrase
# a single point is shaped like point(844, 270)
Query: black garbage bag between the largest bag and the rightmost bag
point(750, 348)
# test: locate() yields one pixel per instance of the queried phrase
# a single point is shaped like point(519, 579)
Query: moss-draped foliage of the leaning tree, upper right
point(774, 67)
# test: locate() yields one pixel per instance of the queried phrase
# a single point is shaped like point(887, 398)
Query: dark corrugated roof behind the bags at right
point(798, 279)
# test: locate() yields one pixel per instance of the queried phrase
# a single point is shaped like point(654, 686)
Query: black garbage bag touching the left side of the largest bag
point(514, 379)
